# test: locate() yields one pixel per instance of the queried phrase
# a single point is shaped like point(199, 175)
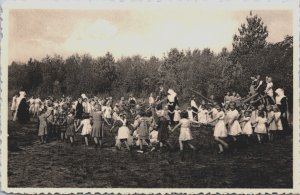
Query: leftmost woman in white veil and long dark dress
point(23, 109)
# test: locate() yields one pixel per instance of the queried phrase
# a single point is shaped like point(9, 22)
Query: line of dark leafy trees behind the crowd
point(207, 72)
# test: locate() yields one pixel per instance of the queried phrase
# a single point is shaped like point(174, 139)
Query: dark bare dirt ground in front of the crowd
point(57, 164)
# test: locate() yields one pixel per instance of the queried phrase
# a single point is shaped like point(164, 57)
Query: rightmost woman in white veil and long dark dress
point(281, 102)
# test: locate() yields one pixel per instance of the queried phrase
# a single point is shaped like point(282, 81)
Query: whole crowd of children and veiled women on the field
point(147, 123)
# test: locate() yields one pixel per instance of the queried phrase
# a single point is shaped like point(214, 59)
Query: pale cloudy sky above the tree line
point(35, 33)
